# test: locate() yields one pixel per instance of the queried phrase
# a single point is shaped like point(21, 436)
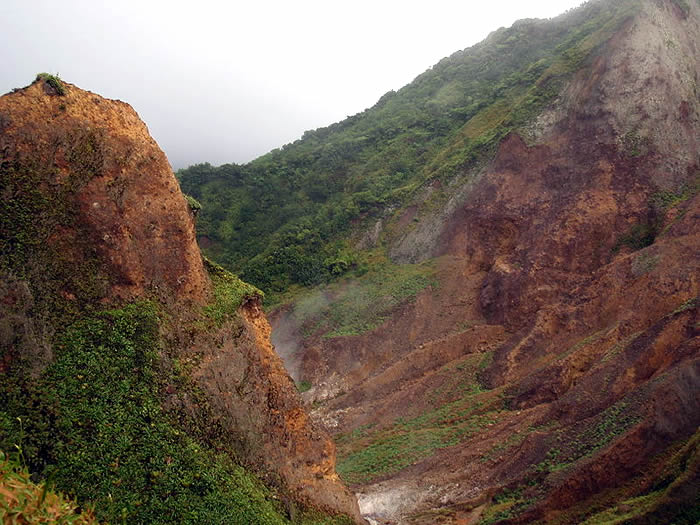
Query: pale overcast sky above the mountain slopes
point(227, 81)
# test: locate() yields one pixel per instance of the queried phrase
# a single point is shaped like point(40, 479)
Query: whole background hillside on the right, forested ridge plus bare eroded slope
point(514, 335)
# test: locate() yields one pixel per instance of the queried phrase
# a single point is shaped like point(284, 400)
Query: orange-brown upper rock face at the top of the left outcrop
point(125, 202)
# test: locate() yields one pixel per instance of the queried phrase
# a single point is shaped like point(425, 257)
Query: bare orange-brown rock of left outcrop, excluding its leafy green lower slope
point(93, 217)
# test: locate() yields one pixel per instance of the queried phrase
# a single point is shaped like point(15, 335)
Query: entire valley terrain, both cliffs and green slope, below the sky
point(475, 302)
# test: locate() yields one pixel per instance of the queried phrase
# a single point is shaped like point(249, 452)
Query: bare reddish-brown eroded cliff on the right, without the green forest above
point(549, 371)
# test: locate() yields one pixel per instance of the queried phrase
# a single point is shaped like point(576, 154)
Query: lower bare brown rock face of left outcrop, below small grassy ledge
point(250, 390)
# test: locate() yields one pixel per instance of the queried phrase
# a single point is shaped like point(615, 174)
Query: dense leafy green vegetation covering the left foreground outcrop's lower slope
point(92, 424)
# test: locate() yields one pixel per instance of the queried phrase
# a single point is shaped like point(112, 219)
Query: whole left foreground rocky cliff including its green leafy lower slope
point(103, 283)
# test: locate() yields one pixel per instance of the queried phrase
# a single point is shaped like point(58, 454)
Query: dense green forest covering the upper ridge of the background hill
point(284, 218)
